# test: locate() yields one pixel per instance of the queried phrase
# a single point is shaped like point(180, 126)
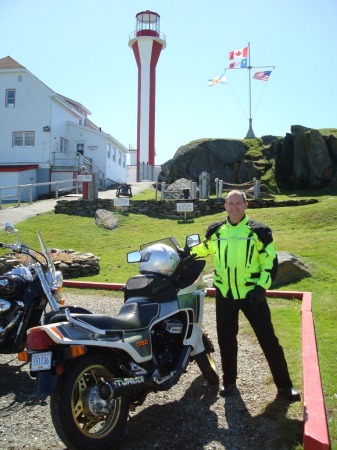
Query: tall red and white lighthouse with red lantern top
point(146, 42)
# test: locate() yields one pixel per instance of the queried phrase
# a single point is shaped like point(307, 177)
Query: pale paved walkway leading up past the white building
point(17, 214)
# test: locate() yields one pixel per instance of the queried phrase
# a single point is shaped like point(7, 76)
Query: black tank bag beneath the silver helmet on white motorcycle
point(156, 288)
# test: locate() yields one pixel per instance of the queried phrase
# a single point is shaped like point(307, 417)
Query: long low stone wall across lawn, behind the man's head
point(164, 208)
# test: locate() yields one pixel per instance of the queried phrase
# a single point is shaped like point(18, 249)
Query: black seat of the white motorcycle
point(132, 316)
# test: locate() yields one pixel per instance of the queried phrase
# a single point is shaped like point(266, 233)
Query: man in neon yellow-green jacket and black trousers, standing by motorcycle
point(244, 261)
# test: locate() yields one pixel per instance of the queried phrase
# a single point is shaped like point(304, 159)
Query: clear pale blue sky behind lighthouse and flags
point(79, 48)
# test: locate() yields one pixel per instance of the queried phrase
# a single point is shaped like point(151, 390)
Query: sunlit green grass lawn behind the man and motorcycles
point(310, 232)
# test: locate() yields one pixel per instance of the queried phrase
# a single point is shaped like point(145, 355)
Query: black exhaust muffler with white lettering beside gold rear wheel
point(116, 387)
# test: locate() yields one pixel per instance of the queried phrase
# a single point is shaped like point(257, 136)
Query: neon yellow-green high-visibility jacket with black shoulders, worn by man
point(244, 256)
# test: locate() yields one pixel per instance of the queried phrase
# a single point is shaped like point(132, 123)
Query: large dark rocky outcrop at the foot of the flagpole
point(304, 158)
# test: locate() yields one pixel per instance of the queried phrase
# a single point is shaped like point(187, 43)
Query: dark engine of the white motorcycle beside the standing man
point(166, 344)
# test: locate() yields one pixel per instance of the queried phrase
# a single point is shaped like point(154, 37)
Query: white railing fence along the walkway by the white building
point(27, 191)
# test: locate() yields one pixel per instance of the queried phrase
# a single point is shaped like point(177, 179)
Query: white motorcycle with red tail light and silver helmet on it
point(96, 367)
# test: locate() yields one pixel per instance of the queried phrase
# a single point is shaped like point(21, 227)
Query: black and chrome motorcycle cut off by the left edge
point(27, 292)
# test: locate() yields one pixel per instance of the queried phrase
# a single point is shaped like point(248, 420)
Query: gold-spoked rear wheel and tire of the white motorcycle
point(75, 421)
